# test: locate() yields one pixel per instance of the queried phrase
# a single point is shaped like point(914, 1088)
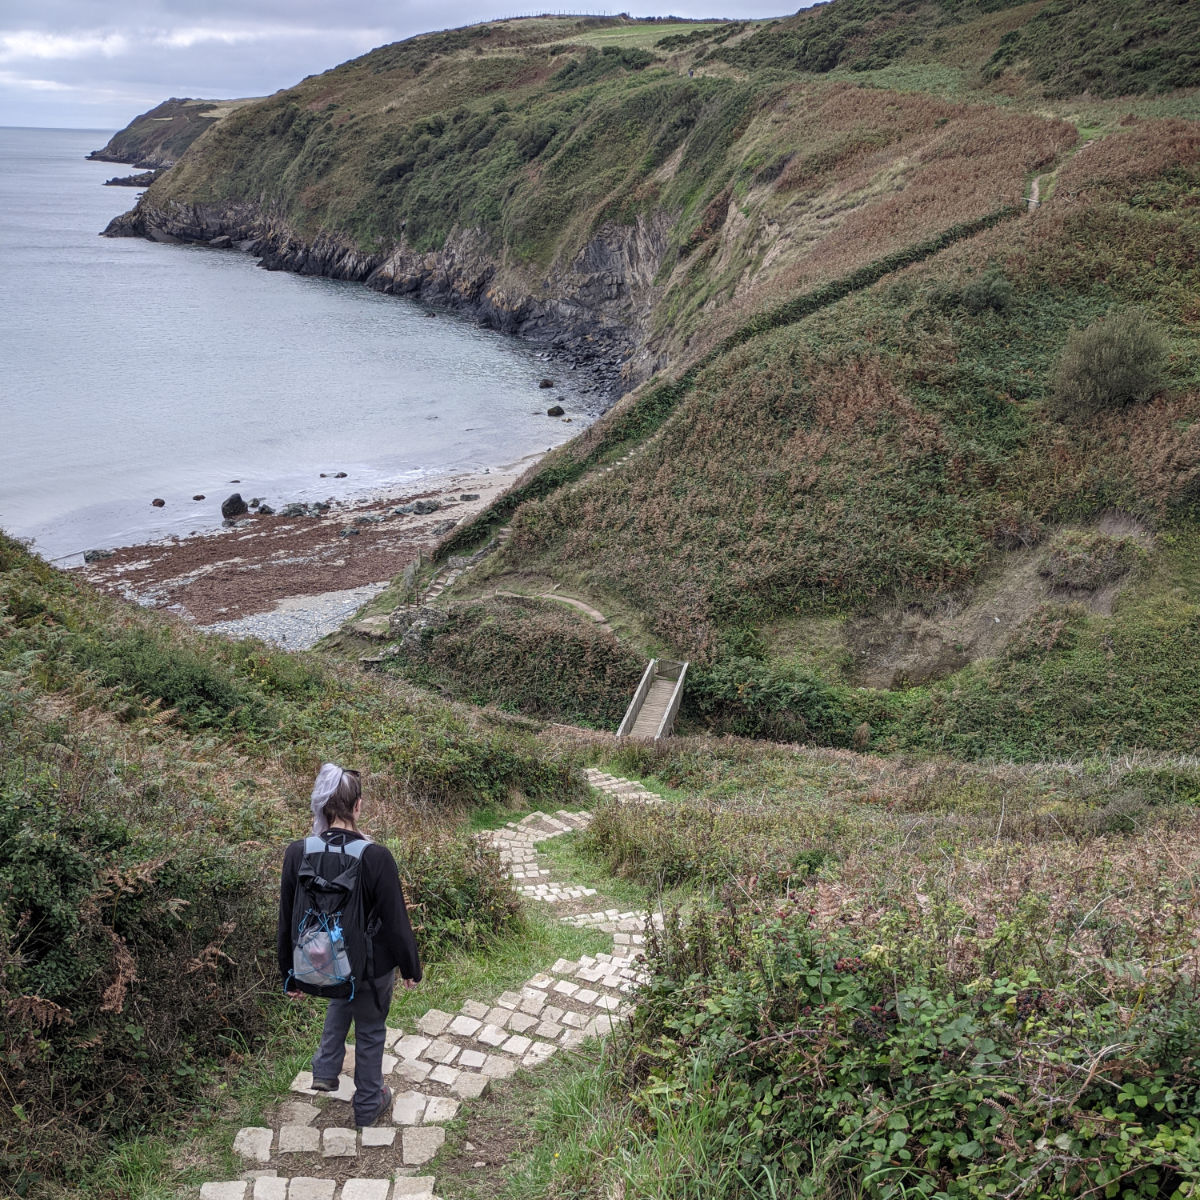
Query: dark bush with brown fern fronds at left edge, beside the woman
point(129, 964)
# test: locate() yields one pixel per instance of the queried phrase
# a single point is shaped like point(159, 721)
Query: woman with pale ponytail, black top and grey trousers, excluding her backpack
point(337, 806)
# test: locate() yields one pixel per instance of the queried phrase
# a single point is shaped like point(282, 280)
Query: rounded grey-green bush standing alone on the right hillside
point(1119, 361)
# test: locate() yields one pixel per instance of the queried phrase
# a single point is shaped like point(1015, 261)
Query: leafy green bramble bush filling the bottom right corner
point(868, 1067)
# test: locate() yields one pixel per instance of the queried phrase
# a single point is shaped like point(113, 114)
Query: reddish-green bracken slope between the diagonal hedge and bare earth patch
point(887, 443)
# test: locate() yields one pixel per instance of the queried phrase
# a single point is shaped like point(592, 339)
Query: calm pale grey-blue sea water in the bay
point(134, 371)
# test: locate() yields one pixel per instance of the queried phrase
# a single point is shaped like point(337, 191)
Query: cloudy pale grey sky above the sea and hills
point(98, 64)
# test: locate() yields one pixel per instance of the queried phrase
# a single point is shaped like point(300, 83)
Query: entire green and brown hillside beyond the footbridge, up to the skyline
point(863, 247)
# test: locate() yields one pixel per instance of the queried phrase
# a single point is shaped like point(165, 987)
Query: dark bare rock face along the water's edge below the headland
point(595, 310)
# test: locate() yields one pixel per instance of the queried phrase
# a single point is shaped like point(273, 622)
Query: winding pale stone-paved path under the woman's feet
point(447, 1060)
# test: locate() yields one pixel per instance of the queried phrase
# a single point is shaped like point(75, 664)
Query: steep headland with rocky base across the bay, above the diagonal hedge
point(629, 207)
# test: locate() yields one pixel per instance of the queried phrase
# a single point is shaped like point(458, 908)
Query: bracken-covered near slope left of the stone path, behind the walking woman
point(151, 778)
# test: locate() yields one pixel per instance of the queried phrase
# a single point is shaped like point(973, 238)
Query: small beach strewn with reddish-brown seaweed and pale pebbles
point(267, 566)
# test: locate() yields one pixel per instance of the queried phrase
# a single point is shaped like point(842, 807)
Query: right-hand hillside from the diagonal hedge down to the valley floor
point(896, 452)
